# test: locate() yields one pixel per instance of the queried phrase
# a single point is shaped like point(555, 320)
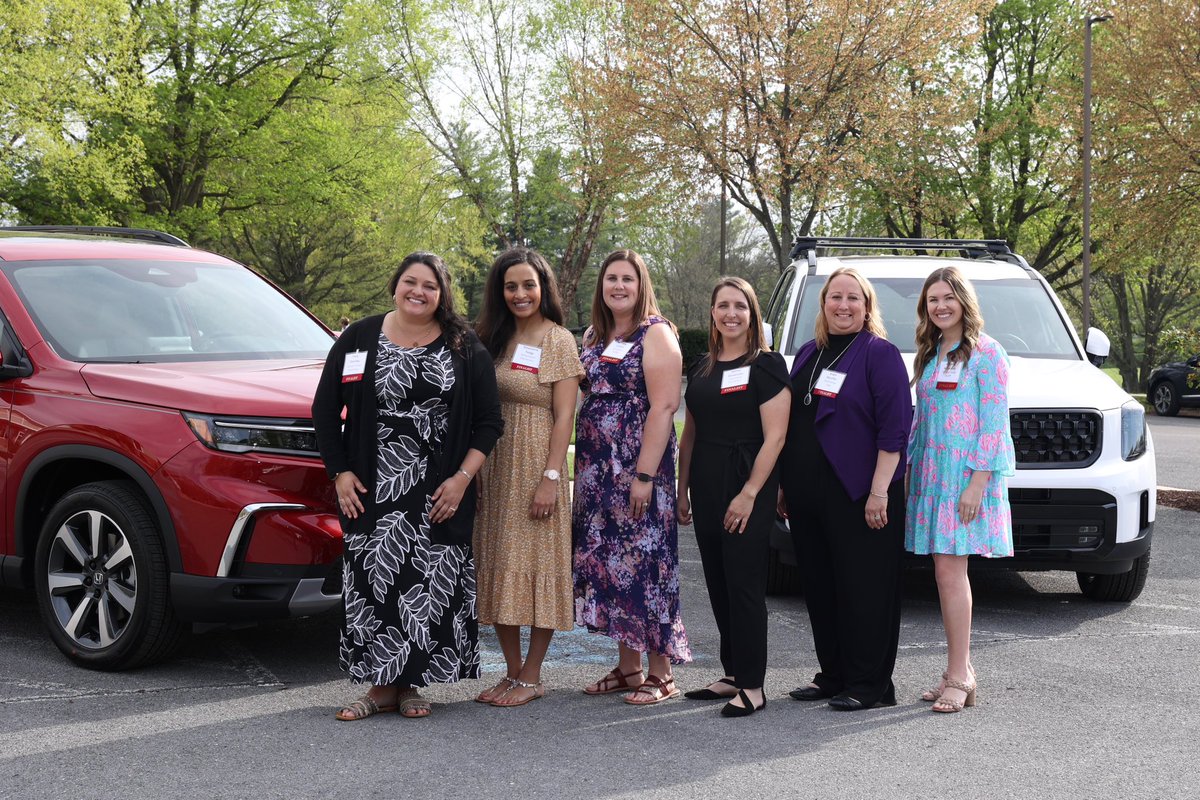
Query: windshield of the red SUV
point(125, 311)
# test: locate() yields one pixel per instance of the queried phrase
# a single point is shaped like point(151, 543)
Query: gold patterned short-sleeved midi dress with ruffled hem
point(523, 566)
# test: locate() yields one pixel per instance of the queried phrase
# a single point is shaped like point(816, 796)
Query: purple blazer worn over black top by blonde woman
point(873, 412)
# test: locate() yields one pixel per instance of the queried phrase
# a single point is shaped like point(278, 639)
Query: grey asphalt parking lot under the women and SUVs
point(1078, 700)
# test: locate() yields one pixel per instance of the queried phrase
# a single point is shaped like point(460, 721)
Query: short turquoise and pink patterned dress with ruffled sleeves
point(957, 432)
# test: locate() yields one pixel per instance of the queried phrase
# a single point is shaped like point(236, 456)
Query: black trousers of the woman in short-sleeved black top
point(736, 576)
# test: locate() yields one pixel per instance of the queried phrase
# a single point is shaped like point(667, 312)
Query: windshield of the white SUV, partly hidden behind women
point(1017, 312)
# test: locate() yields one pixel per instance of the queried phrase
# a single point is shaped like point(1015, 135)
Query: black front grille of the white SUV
point(1057, 440)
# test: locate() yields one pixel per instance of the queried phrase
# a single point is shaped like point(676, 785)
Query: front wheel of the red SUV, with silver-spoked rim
point(103, 580)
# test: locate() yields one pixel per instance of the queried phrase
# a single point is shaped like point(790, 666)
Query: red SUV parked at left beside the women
point(158, 462)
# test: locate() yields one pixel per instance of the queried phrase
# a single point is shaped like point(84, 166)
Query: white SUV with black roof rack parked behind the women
point(1085, 488)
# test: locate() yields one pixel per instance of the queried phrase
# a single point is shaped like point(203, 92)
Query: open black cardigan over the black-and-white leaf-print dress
point(475, 423)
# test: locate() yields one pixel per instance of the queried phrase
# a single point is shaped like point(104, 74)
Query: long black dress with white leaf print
point(410, 603)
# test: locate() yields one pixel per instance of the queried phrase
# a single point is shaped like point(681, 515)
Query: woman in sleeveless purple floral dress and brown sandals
point(627, 561)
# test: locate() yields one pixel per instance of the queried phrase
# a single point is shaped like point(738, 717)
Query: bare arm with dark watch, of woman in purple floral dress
point(663, 368)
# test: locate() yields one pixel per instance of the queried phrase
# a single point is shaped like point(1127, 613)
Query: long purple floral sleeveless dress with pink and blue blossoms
point(627, 570)
